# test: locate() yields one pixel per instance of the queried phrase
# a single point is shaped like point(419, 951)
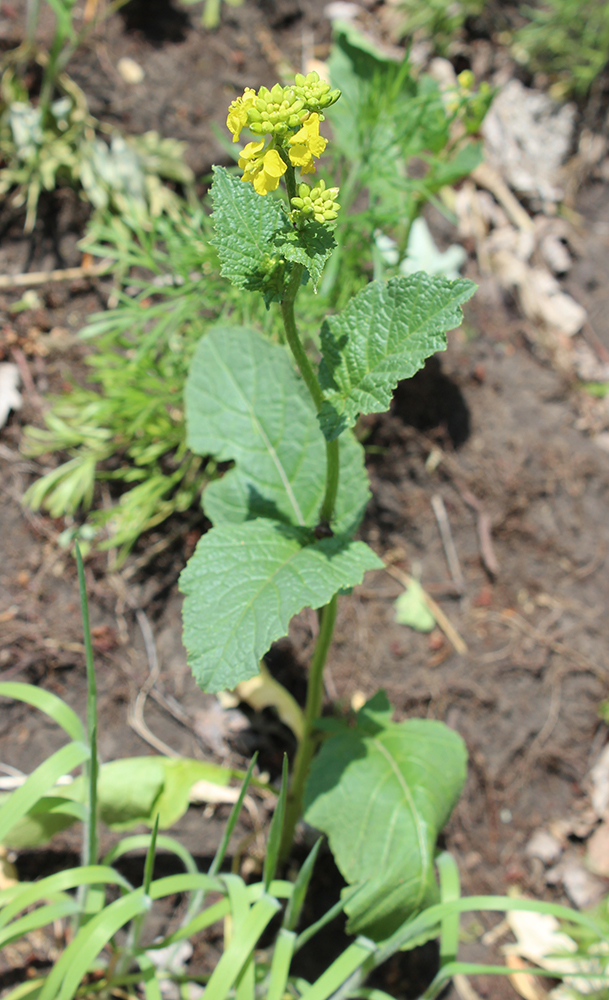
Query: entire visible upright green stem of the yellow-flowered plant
point(327, 614)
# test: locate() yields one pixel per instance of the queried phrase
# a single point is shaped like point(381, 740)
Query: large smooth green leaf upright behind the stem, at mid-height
point(244, 402)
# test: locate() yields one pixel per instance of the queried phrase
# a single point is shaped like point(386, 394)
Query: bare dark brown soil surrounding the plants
point(524, 696)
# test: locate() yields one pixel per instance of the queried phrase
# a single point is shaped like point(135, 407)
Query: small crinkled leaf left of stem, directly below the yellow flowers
point(247, 225)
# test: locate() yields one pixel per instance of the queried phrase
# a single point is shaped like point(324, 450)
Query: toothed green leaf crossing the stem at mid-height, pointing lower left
point(246, 581)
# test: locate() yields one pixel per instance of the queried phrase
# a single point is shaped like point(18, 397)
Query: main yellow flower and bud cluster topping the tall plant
point(291, 117)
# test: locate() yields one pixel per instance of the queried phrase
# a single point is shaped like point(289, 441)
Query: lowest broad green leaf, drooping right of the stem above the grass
point(382, 792)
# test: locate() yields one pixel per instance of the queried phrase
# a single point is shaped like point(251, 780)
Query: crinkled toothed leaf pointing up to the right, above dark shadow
point(385, 334)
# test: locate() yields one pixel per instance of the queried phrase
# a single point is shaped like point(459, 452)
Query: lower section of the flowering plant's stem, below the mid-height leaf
point(307, 746)
